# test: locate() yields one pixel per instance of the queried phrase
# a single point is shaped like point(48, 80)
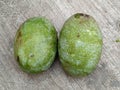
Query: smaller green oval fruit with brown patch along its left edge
point(35, 45)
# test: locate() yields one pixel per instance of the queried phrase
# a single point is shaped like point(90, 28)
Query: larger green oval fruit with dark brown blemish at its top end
point(80, 45)
